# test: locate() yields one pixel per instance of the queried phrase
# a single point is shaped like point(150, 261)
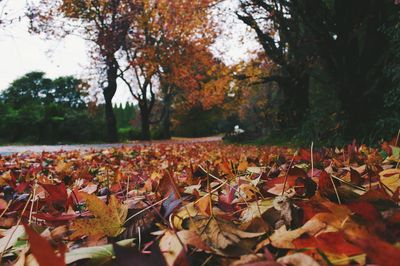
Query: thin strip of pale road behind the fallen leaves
point(7, 150)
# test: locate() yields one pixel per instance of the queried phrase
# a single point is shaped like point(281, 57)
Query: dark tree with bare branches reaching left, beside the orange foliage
point(281, 35)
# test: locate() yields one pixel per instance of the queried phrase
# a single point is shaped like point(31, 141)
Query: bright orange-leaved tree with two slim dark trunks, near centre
point(165, 38)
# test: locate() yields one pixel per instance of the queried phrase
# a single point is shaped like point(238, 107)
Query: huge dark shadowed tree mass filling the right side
point(330, 46)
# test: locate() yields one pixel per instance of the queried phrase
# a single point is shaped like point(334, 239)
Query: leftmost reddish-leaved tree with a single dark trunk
point(105, 23)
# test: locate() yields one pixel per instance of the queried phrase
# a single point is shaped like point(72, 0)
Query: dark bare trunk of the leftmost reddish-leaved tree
point(109, 92)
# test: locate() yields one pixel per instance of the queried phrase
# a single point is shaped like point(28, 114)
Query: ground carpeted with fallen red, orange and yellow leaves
point(200, 202)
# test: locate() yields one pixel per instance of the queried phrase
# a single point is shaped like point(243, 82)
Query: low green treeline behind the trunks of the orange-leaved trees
point(36, 109)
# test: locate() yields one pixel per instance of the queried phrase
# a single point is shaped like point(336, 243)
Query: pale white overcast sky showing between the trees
point(22, 52)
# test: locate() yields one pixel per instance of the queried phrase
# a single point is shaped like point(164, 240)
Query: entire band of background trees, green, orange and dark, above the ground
point(327, 71)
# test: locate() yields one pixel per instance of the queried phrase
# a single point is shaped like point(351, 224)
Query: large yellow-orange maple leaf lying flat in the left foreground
point(108, 219)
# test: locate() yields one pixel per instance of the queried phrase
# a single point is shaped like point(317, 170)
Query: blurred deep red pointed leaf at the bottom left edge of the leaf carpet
point(43, 251)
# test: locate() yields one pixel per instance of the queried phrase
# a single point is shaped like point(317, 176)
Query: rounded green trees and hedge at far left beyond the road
point(35, 109)
